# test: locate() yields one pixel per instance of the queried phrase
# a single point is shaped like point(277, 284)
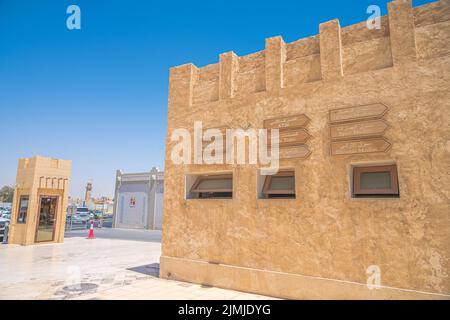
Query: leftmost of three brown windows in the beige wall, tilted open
point(214, 186)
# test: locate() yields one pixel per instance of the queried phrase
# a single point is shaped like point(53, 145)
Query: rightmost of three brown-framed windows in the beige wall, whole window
point(375, 181)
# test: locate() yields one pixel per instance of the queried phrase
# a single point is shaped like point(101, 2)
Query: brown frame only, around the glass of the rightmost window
point(392, 169)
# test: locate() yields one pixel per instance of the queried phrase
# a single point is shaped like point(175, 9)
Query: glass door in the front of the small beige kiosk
point(47, 219)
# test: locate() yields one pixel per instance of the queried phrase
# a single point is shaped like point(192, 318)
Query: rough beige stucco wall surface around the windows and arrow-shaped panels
point(324, 232)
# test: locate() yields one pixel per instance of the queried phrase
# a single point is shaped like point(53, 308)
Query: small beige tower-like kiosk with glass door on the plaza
point(40, 201)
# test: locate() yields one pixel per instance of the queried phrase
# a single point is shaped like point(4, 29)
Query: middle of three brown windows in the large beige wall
point(280, 185)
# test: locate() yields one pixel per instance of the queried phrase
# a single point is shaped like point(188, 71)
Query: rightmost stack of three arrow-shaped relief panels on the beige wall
point(358, 129)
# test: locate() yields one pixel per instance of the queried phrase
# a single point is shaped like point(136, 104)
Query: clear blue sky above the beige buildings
point(98, 96)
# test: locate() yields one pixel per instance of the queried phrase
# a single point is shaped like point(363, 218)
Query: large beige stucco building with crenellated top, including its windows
point(360, 207)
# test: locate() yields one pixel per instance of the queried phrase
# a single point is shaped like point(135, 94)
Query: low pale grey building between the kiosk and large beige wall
point(138, 200)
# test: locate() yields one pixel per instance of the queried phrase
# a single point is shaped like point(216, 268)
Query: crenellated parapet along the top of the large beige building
point(405, 35)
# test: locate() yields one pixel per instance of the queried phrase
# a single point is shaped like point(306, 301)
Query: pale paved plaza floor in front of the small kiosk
point(118, 264)
